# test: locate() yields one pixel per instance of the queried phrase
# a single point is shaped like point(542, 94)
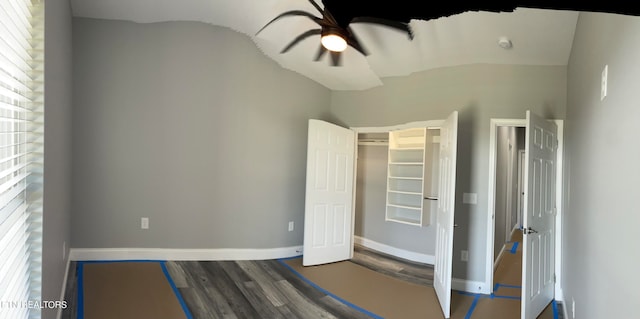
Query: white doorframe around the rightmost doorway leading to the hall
point(493, 127)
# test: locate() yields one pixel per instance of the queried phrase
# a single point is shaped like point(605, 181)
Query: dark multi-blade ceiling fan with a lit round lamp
point(335, 38)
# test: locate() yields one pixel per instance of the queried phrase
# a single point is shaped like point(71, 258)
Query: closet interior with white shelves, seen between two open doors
point(395, 200)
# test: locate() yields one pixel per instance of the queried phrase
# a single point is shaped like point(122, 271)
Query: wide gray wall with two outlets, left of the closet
point(192, 126)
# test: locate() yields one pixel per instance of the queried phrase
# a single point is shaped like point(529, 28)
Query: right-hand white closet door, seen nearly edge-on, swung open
point(445, 214)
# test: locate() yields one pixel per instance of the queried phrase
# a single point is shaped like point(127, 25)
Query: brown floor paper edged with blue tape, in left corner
point(123, 290)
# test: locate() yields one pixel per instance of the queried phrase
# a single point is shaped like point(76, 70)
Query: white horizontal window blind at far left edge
point(21, 156)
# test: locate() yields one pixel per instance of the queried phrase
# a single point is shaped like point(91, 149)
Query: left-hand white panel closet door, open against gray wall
point(328, 217)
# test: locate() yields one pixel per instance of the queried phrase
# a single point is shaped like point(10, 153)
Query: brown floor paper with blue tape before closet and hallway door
point(392, 298)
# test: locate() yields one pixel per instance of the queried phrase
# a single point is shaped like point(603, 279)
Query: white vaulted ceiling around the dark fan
point(539, 36)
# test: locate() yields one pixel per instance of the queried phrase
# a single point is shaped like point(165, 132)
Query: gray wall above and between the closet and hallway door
point(479, 92)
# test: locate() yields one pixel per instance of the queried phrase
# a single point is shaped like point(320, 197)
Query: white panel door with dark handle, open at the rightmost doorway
point(538, 267)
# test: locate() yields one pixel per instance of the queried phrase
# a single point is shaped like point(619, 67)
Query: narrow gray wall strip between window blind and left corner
point(57, 145)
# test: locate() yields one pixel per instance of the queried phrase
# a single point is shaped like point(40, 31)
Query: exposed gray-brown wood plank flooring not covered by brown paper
point(263, 288)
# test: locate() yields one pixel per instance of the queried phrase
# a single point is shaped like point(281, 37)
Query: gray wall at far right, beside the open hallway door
point(600, 243)
